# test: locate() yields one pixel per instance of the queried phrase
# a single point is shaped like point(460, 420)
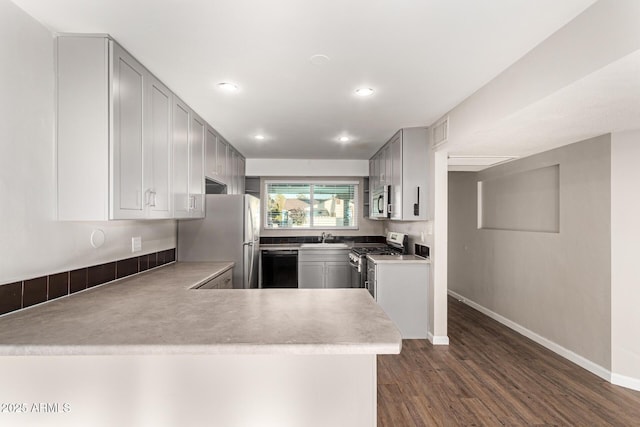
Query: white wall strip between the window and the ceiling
point(307, 167)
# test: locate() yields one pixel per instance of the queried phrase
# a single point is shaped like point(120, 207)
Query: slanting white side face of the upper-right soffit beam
point(604, 33)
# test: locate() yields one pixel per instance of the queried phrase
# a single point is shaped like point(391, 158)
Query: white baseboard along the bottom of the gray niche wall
point(556, 348)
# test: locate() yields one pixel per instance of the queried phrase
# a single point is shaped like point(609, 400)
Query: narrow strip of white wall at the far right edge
point(625, 275)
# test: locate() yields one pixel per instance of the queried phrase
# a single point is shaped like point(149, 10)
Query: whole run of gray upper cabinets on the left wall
point(127, 147)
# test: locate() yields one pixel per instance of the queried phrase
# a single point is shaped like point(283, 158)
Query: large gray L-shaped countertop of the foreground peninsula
point(157, 312)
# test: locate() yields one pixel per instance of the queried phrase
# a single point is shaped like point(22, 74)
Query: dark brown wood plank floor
point(491, 375)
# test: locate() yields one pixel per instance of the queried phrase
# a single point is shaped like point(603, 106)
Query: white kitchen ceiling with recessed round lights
point(422, 58)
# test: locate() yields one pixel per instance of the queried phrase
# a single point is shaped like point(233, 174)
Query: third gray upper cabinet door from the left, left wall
point(180, 159)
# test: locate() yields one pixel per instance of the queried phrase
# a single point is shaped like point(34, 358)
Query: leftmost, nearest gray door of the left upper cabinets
point(127, 136)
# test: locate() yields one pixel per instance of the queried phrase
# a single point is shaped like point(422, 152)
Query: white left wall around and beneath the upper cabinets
point(32, 243)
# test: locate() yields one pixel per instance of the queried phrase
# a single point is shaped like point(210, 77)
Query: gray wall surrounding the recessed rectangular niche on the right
point(557, 285)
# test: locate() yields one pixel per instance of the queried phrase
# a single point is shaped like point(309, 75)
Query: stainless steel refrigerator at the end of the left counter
point(230, 231)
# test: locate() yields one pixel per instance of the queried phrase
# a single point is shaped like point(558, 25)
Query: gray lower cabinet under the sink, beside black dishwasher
point(323, 269)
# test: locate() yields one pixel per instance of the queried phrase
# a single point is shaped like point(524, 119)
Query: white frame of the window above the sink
point(312, 183)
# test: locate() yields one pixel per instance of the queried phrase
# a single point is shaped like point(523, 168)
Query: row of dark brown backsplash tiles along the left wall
point(14, 296)
